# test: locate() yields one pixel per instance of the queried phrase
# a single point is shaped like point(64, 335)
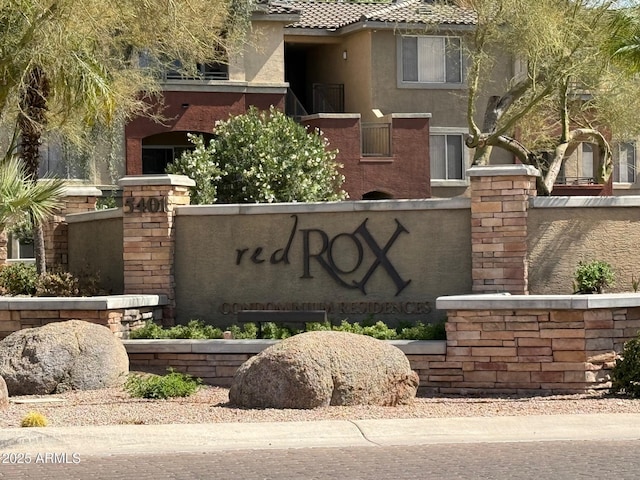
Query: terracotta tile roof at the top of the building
point(335, 15)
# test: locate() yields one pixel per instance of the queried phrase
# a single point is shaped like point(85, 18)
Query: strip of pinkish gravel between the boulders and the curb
point(209, 405)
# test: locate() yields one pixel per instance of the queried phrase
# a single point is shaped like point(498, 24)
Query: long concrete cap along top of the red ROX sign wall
point(456, 203)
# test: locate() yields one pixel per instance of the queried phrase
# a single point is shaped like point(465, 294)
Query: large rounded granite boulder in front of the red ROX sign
point(317, 369)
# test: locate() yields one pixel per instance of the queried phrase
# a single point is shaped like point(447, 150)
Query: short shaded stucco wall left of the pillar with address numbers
point(95, 247)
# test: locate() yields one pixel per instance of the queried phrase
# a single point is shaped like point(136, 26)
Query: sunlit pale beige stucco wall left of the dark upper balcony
point(262, 60)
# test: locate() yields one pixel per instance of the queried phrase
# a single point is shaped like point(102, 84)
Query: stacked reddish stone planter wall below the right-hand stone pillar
point(533, 351)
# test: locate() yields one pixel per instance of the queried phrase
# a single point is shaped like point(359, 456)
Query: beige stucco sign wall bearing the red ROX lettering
point(434, 255)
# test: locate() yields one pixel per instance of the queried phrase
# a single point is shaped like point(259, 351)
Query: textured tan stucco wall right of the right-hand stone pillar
point(560, 237)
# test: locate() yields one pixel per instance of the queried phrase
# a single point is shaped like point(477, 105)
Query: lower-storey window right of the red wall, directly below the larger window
point(446, 154)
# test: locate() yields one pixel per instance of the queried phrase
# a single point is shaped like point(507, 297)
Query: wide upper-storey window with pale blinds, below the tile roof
point(431, 59)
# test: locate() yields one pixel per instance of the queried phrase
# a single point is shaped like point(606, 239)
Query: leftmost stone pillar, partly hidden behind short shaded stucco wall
point(77, 199)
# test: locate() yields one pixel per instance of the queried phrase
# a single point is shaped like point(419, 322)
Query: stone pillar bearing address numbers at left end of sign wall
point(149, 236)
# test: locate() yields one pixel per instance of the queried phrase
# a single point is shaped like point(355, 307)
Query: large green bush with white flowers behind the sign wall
point(261, 156)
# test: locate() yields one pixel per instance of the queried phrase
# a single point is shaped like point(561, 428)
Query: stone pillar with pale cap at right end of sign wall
point(499, 207)
